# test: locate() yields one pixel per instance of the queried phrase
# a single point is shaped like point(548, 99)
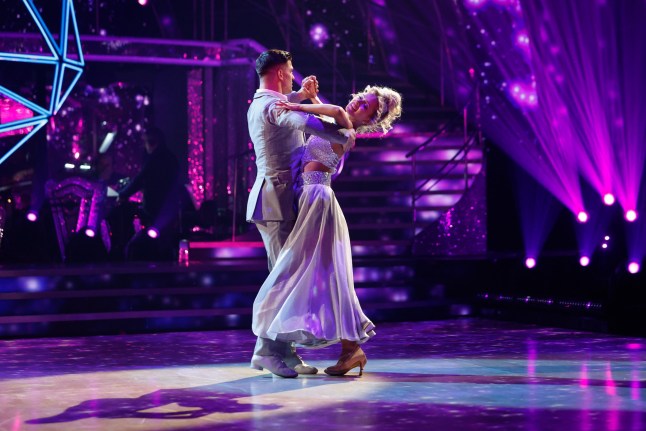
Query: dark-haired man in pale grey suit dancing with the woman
point(278, 139)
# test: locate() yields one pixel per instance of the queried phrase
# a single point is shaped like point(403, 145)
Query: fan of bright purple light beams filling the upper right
point(586, 128)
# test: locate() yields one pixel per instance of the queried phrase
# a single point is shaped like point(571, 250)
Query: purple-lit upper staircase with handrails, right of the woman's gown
point(388, 196)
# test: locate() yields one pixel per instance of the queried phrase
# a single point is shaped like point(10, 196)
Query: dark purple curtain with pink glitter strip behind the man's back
point(221, 165)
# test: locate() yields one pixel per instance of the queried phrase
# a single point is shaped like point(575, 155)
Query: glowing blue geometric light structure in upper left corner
point(60, 57)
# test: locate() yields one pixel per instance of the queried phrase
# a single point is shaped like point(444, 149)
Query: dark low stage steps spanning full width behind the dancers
point(220, 295)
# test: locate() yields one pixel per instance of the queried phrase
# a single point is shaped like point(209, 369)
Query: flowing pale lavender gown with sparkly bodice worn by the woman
point(309, 298)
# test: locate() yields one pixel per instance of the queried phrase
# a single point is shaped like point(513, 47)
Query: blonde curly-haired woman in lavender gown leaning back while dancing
point(309, 298)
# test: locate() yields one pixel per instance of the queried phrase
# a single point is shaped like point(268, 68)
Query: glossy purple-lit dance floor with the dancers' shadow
point(446, 375)
